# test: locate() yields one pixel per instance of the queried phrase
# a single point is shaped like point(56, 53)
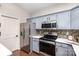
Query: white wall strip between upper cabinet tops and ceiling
point(55, 8)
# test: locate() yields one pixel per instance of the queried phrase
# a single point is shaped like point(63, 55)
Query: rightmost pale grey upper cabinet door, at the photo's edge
point(75, 18)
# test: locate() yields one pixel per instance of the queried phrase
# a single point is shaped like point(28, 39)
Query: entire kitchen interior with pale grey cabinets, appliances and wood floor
point(39, 29)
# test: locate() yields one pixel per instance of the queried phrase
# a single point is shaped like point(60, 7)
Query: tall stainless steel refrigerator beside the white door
point(25, 36)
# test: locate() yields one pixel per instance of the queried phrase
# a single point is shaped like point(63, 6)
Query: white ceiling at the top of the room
point(34, 7)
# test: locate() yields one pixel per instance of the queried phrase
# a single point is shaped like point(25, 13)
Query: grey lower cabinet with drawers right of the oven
point(64, 50)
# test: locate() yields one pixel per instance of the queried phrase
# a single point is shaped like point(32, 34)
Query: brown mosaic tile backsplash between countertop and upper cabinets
point(62, 33)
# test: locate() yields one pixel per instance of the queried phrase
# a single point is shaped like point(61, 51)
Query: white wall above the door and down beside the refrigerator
point(17, 12)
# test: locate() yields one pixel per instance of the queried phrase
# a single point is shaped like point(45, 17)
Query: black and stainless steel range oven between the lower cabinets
point(47, 44)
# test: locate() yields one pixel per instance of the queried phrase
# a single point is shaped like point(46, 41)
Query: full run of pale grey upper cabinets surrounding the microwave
point(65, 20)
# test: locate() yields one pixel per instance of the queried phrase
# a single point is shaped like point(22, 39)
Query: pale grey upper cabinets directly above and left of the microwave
point(44, 19)
